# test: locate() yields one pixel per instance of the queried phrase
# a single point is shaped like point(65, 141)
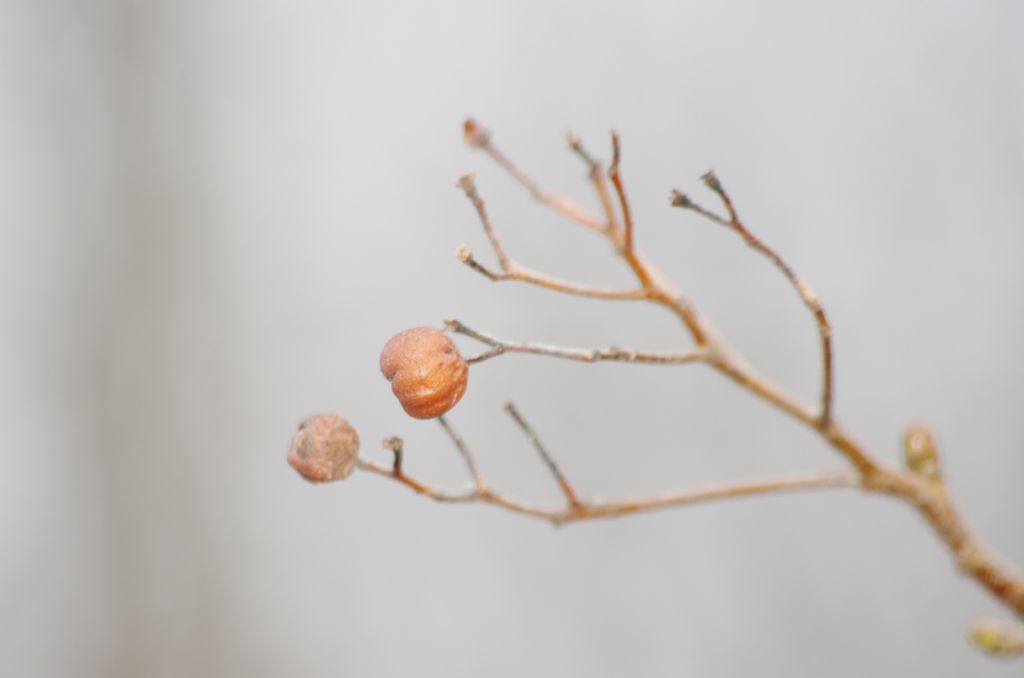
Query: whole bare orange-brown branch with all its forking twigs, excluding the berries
point(925, 492)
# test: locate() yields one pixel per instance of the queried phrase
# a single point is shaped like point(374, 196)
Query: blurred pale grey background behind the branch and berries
point(216, 214)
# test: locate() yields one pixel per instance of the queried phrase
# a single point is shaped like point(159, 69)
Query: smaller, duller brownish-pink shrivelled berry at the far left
point(325, 449)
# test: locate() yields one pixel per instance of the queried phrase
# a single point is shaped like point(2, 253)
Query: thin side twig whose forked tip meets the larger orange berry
point(611, 354)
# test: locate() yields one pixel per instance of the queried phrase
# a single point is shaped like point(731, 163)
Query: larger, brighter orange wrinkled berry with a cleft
point(428, 373)
